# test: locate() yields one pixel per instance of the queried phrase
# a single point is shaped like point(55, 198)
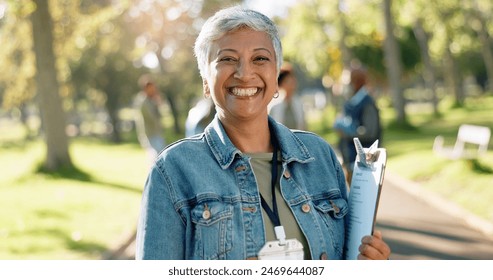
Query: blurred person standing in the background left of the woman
point(148, 122)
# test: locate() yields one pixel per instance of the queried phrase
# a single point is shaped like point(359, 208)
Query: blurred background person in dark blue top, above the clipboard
point(361, 118)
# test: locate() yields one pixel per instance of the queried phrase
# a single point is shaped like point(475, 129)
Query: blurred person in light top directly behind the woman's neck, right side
point(288, 108)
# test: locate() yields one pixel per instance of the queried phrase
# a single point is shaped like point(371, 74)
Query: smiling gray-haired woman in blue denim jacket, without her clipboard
point(248, 187)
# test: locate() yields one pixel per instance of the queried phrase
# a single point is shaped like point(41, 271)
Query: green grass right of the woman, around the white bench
point(410, 154)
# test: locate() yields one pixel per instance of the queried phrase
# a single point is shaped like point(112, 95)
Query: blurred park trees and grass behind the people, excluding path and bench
point(71, 167)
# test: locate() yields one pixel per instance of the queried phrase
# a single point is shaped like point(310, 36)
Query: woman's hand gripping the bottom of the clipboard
point(373, 248)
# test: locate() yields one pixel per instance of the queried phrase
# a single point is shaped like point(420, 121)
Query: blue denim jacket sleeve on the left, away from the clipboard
point(161, 231)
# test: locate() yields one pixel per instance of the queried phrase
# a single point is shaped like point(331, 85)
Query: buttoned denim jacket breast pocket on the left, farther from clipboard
point(212, 229)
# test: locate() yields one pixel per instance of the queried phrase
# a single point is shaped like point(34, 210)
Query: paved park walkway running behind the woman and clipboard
point(418, 225)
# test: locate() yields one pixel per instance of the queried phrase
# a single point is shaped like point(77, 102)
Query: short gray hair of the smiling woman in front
point(231, 19)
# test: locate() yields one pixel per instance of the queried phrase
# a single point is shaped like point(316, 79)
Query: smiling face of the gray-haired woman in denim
point(242, 75)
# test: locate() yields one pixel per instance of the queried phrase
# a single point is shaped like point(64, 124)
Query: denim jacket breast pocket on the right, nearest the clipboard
point(332, 211)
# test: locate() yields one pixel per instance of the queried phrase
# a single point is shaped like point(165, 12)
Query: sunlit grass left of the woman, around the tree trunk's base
point(77, 213)
